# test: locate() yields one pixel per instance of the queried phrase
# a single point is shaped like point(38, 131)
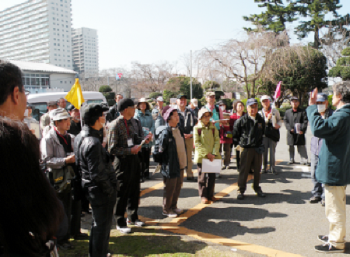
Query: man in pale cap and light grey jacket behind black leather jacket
point(57, 151)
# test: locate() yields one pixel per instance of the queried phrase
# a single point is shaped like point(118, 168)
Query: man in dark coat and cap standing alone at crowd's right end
point(296, 122)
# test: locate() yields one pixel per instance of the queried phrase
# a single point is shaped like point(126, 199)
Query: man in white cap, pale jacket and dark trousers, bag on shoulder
point(271, 136)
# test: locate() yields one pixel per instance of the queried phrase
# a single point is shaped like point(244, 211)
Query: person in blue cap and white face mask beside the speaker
point(316, 143)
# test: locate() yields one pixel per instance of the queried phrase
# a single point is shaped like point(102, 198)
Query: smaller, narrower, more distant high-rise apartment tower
point(85, 51)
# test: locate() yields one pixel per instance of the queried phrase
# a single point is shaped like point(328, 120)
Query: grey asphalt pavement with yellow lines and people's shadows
point(282, 224)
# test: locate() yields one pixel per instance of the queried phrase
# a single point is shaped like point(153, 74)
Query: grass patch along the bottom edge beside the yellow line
point(144, 242)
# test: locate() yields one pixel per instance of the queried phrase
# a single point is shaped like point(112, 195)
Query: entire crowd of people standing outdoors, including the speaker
point(97, 157)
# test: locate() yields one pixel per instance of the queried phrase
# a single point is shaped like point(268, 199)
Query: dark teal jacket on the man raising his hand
point(334, 161)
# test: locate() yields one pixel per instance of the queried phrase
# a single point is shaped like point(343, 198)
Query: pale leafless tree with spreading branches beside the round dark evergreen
point(245, 60)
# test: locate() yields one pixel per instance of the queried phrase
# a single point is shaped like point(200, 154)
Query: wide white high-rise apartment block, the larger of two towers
point(37, 31)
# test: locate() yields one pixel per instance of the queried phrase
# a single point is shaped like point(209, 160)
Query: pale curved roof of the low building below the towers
point(40, 67)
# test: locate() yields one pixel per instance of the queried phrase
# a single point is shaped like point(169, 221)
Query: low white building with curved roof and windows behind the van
point(42, 77)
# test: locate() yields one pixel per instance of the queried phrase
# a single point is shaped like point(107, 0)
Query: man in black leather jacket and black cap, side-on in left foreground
point(98, 177)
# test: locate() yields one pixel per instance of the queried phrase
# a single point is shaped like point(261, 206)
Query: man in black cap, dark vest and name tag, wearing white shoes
point(124, 145)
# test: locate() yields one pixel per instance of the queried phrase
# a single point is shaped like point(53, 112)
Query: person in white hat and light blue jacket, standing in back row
point(143, 114)
